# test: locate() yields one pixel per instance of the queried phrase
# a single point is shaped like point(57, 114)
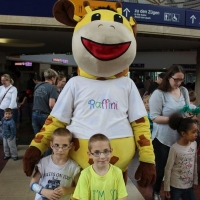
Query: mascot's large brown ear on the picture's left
point(63, 11)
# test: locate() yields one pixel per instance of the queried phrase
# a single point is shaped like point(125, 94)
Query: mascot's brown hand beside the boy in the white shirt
point(31, 157)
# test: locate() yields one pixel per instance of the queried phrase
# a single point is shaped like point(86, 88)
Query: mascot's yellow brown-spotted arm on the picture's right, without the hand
point(142, 134)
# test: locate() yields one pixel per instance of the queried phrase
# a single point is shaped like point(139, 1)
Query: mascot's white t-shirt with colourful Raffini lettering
point(99, 107)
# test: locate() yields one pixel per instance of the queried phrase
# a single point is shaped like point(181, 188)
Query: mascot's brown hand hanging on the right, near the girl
point(145, 174)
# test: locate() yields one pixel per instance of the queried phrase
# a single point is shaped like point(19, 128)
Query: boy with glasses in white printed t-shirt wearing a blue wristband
point(45, 182)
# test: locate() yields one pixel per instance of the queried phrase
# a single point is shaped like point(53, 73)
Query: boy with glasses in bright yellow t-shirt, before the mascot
point(101, 179)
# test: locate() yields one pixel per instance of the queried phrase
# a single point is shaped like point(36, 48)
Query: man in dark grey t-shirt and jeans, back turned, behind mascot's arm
point(45, 95)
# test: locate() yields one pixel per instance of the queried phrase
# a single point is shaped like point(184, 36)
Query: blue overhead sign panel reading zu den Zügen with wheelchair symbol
point(154, 14)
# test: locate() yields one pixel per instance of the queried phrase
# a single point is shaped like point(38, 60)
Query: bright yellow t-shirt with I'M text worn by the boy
point(91, 186)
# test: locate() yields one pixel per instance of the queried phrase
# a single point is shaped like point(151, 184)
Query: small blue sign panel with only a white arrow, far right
point(193, 18)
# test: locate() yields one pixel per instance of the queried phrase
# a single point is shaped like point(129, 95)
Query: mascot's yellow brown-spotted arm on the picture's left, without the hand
point(43, 138)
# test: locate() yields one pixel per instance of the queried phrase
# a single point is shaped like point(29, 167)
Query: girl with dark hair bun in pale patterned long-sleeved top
point(181, 169)
